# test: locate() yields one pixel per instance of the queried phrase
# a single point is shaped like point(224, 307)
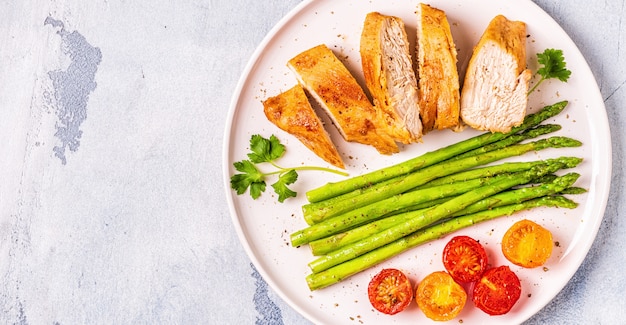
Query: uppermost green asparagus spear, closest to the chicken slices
point(334, 189)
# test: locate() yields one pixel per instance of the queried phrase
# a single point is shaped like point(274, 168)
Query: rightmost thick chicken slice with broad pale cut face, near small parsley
point(494, 94)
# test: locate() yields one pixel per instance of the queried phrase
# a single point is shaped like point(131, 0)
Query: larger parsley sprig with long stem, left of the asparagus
point(267, 151)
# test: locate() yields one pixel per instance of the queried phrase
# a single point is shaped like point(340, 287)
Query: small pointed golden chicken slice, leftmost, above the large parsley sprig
point(291, 111)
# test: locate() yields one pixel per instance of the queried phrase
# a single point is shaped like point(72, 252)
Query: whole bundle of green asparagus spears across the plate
point(359, 222)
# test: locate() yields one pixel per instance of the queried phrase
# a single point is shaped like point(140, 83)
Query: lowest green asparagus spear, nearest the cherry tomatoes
point(337, 273)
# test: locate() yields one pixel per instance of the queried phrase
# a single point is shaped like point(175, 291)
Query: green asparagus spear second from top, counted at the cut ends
point(323, 210)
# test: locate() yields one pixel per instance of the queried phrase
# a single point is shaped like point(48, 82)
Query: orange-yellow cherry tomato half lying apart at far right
point(527, 244)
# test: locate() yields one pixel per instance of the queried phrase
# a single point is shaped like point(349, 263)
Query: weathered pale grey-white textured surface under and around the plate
point(112, 209)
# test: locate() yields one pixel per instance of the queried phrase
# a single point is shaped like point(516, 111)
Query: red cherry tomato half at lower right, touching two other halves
point(497, 291)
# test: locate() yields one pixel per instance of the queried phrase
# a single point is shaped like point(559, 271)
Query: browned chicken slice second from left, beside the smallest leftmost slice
point(328, 81)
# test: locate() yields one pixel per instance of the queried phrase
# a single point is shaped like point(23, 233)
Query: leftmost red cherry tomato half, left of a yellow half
point(390, 291)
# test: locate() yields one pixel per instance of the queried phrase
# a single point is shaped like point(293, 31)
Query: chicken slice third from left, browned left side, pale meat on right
point(389, 76)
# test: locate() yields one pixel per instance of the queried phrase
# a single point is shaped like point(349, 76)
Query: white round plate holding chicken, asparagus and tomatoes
point(264, 225)
